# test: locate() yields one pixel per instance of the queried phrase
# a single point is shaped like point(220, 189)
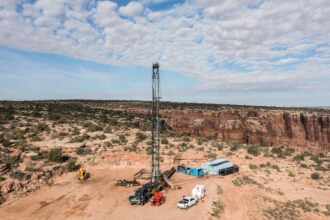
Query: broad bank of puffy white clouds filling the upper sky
point(227, 44)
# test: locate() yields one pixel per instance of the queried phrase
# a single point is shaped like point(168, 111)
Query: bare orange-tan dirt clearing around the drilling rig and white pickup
point(99, 198)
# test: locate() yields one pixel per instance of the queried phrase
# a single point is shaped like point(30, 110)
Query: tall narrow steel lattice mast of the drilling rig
point(155, 125)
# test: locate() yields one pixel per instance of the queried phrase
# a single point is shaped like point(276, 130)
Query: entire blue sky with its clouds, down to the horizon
point(248, 52)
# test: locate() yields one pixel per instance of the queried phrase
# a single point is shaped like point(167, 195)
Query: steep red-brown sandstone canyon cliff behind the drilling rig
point(298, 129)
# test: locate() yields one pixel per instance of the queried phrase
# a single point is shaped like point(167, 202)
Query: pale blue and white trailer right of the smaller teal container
point(219, 167)
